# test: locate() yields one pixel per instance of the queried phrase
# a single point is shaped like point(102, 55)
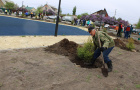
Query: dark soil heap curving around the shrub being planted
point(69, 48)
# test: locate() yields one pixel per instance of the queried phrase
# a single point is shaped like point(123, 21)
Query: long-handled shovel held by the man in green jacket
point(103, 69)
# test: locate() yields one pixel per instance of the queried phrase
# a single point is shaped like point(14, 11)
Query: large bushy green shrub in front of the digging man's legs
point(86, 52)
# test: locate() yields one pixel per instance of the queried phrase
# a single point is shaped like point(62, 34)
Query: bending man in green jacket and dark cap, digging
point(107, 44)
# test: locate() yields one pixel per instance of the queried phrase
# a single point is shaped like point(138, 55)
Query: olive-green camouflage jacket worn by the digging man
point(106, 40)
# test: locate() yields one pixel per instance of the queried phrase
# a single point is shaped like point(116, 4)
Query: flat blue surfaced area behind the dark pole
point(19, 27)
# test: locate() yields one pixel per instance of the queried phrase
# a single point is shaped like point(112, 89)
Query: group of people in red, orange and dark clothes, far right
point(126, 29)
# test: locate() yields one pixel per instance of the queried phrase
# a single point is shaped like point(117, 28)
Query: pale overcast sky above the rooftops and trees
point(126, 9)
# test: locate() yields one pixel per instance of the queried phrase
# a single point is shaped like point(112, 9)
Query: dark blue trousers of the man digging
point(97, 53)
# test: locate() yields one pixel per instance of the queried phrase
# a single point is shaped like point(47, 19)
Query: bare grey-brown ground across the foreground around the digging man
point(39, 69)
